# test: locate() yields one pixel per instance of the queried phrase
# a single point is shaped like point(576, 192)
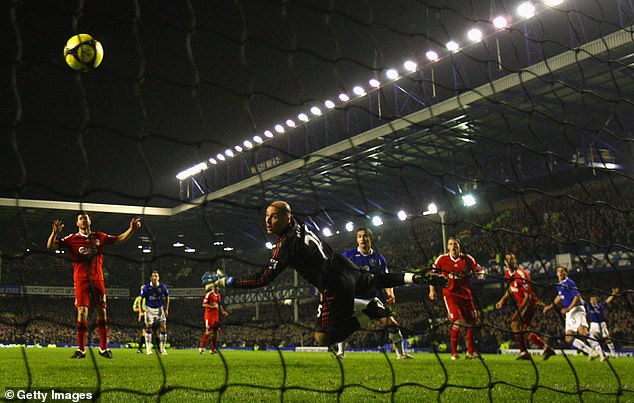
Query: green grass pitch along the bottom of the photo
point(270, 376)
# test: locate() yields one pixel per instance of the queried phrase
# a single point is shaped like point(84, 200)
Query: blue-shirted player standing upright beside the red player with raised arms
point(157, 302)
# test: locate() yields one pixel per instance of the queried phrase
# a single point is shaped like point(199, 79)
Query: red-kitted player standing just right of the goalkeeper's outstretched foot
point(458, 268)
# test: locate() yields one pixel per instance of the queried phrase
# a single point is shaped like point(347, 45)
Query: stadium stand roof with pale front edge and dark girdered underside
point(559, 115)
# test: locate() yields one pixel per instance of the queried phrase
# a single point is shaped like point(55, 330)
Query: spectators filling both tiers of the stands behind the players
point(535, 229)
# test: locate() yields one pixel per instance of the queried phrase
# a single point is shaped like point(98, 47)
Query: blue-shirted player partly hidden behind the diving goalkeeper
point(370, 260)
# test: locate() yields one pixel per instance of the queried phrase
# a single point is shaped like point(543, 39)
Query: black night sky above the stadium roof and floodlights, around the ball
point(179, 84)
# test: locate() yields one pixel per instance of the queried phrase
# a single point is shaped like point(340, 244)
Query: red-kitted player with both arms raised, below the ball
point(86, 250)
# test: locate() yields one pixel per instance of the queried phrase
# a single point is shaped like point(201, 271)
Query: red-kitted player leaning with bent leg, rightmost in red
point(521, 287)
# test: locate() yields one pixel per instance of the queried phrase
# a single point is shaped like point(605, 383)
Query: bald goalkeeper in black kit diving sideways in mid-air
point(337, 278)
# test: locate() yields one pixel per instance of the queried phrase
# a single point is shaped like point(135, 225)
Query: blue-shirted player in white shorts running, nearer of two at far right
point(576, 322)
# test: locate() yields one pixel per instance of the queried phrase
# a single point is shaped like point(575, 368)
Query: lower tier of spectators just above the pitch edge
point(44, 320)
